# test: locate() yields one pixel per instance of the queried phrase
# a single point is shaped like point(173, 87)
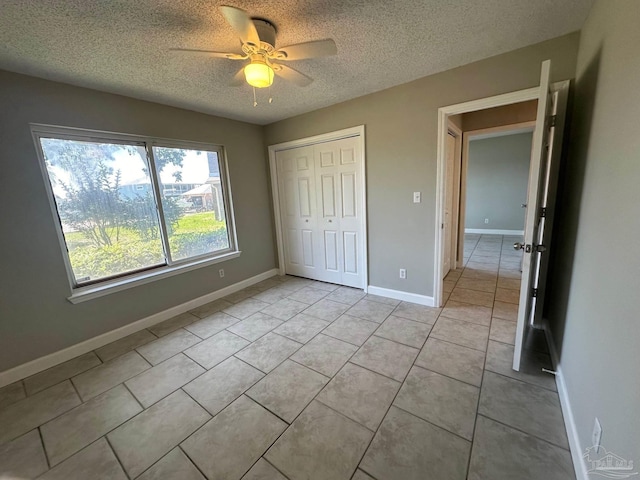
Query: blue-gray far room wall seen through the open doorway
point(497, 177)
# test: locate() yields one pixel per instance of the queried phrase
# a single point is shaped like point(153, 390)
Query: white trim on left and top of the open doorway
point(443, 128)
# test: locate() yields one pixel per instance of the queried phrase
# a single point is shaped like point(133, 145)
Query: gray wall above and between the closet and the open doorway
point(401, 130)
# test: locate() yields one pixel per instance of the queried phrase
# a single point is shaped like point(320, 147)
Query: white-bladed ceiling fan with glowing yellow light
point(258, 39)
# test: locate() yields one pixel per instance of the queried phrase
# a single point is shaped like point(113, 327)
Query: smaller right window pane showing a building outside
point(192, 201)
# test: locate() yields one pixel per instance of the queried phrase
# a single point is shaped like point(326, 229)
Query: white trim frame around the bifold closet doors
point(358, 132)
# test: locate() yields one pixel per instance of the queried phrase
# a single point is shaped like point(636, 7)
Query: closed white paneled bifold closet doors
point(321, 209)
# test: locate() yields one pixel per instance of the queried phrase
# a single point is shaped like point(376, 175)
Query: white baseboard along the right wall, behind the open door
point(569, 422)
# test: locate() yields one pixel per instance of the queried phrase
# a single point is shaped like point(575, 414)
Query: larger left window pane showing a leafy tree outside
point(106, 206)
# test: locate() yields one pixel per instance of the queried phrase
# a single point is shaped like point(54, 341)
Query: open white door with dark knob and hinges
point(543, 175)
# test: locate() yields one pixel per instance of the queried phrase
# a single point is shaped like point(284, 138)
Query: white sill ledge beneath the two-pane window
point(82, 294)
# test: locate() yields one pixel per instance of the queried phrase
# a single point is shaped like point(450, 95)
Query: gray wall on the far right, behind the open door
point(593, 305)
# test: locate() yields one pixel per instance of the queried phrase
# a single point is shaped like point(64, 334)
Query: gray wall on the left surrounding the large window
point(35, 316)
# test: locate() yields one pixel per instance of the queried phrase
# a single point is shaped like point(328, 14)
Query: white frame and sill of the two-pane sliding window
point(81, 293)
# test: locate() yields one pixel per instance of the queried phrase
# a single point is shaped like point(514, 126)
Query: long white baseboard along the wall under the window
point(39, 364)
